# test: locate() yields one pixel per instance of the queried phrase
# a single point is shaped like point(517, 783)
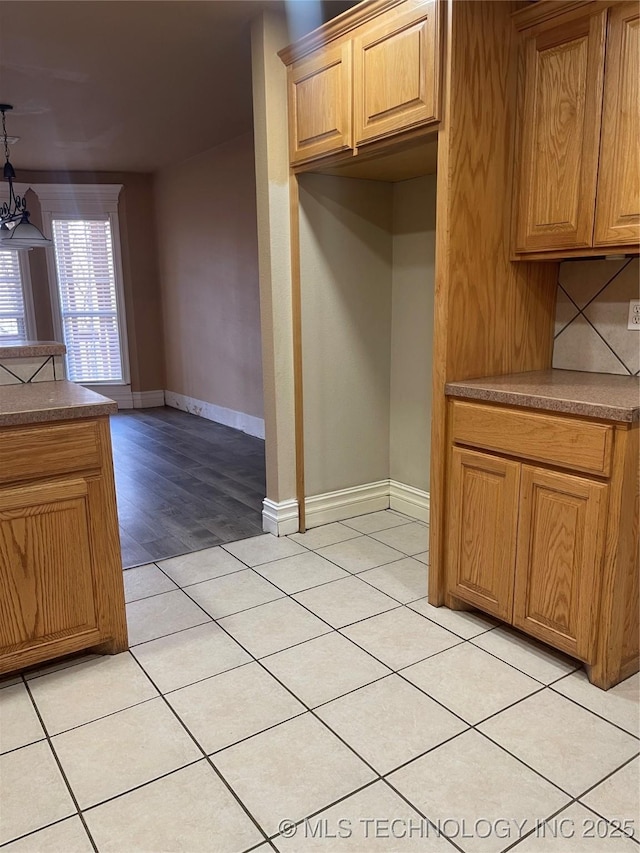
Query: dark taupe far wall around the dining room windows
point(139, 270)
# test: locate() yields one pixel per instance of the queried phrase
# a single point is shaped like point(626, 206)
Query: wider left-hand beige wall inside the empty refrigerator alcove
point(346, 252)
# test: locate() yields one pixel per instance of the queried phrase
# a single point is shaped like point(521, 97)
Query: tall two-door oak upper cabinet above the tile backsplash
point(579, 122)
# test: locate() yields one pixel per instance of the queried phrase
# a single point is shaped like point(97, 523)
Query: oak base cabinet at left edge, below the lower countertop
point(61, 587)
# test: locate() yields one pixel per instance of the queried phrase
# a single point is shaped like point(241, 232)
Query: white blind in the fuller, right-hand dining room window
point(88, 301)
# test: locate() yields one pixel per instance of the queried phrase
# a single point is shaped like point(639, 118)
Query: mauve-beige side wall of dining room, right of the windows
point(207, 242)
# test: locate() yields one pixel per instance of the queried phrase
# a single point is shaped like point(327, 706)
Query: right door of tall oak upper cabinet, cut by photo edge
point(618, 205)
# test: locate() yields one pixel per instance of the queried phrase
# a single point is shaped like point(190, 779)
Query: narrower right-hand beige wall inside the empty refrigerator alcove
point(414, 221)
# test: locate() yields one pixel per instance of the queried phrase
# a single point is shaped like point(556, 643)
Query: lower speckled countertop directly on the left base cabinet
point(41, 402)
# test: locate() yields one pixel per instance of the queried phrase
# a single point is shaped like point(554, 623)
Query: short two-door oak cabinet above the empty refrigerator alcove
point(370, 74)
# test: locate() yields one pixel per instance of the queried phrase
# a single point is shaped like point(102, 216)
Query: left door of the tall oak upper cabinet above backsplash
point(560, 133)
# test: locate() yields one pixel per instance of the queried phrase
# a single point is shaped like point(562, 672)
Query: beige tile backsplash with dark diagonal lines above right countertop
point(591, 316)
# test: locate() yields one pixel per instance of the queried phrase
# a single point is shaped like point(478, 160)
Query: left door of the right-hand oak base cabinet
point(483, 518)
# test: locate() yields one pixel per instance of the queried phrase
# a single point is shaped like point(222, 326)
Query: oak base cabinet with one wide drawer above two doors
point(552, 552)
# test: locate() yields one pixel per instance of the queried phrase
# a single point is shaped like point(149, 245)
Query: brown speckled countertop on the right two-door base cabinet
point(594, 395)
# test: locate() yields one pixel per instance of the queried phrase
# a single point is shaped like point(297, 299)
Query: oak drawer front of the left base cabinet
point(38, 450)
